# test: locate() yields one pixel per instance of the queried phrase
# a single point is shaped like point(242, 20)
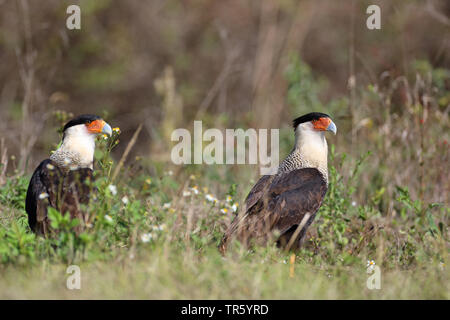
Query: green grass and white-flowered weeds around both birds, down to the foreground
point(140, 248)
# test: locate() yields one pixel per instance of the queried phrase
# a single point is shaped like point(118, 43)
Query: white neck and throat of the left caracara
point(77, 148)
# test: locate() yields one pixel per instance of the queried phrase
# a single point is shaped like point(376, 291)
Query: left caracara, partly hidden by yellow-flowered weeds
point(61, 182)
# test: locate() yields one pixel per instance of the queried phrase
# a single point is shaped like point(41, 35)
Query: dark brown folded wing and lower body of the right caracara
point(281, 208)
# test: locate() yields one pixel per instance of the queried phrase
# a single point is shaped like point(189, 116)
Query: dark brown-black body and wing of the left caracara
point(50, 186)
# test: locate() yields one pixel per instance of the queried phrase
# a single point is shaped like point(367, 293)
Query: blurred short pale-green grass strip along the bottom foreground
point(159, 274)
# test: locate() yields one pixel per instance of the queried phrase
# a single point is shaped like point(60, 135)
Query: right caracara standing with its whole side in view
point(282, 206)
